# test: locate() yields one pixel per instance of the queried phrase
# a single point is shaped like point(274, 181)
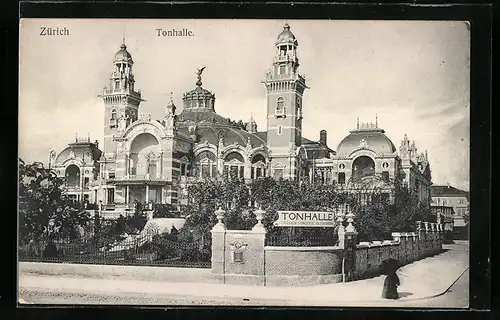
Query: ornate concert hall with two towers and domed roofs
point(154, 161)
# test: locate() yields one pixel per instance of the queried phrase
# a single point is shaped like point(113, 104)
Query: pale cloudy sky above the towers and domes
point(413, 75)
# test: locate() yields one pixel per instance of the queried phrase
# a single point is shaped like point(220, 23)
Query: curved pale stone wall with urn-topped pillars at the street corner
point(241, 257)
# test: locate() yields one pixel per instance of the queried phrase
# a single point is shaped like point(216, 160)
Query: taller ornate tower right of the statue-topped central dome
point(284, 90)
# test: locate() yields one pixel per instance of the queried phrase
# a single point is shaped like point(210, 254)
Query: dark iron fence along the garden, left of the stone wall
point(147, 249)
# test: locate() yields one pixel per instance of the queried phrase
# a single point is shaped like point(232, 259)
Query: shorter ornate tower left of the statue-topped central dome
point(121, 101)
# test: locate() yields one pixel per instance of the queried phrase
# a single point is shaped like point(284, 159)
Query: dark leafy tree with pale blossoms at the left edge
point(44, 211)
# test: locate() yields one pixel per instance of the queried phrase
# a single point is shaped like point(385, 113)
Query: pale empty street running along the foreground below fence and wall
point(419, 280)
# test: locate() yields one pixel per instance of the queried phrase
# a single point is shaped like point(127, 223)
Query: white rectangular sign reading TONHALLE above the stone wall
point(305, 219)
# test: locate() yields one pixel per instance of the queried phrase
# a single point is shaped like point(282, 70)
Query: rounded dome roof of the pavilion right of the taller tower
point(372, 138)
